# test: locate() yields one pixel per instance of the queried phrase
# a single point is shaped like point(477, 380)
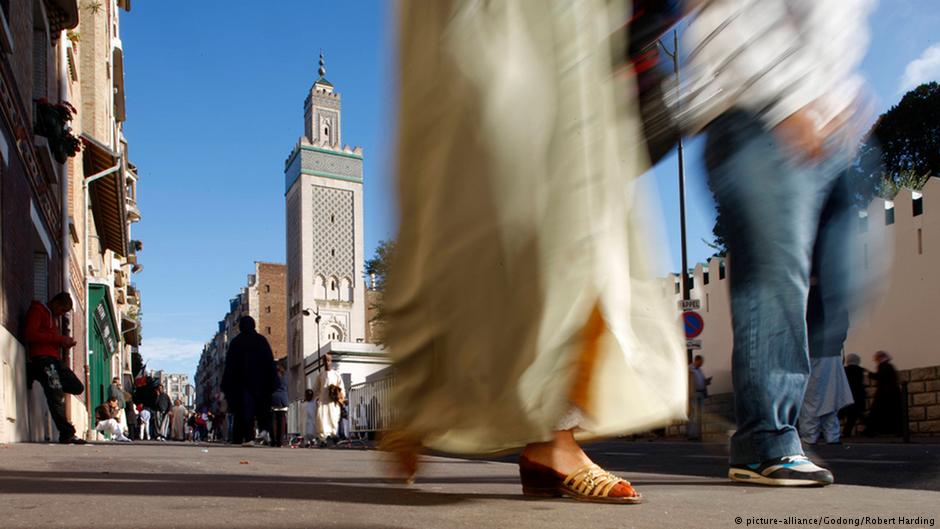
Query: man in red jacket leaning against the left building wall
point(46, 360)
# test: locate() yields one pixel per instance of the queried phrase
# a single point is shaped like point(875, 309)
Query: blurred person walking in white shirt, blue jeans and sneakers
point(772, 84)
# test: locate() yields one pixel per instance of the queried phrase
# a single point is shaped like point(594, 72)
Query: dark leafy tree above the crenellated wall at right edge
point(902, 149)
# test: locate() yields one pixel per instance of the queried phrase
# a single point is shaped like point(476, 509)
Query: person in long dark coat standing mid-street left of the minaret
point(248, 381)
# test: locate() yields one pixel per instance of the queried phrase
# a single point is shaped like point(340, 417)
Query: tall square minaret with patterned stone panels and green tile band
point(323, 191)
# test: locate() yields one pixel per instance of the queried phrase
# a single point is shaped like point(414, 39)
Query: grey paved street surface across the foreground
point(212, 486)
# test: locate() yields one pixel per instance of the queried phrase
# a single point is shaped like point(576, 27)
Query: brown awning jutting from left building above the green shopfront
point(107, 195)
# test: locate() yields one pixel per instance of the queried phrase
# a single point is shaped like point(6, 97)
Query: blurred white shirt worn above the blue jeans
point(773, 57)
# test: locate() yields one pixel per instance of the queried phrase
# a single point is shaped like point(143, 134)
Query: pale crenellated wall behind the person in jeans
point(898, 285)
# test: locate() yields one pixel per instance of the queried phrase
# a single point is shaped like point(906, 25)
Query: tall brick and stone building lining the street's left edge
point(62, 154)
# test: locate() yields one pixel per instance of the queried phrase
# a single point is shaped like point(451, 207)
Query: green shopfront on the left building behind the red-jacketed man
point(102, 344)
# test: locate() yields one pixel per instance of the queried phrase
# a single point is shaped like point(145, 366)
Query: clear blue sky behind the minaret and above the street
point(215, 104)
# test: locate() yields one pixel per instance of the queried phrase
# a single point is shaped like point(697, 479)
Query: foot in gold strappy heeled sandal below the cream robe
point(561, 468)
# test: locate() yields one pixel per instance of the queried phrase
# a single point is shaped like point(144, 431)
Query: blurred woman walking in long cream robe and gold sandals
point(520, 311)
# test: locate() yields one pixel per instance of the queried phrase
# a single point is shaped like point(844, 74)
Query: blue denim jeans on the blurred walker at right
point(782, 222)
